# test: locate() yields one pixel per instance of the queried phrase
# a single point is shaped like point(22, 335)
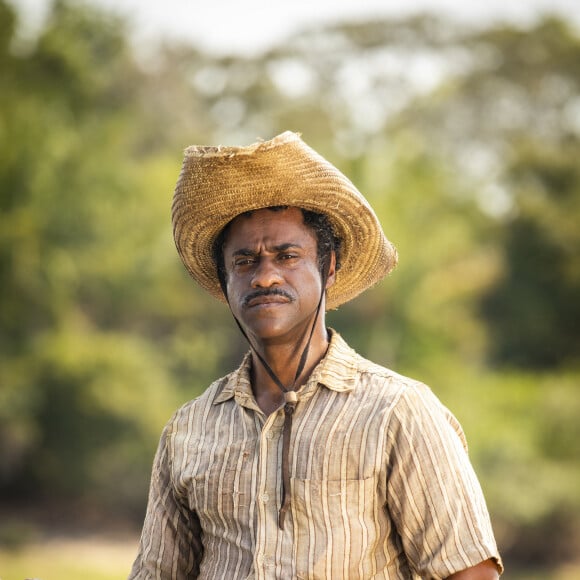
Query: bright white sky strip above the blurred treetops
point(249, 26)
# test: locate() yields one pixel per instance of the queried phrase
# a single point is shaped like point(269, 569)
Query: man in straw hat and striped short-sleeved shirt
point(308, 461)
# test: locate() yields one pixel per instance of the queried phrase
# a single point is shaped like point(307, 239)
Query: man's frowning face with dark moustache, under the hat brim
point(272, 272)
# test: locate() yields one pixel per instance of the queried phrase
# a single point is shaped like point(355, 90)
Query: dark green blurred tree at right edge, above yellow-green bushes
point(533, 310)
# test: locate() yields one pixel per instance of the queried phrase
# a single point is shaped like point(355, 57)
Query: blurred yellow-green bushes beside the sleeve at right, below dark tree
point(524, 444)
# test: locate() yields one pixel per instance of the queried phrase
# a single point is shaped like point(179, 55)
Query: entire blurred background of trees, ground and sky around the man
point(460, 123)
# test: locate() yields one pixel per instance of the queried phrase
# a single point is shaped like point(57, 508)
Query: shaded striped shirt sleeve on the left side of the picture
point(171, 546)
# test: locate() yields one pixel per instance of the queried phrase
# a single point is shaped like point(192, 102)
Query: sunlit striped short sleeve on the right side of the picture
point(434, 496)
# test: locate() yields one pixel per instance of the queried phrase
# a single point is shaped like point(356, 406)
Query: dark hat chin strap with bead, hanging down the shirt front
point(290, 397)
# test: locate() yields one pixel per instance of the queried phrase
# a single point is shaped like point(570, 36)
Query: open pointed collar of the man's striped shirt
point(337, 371)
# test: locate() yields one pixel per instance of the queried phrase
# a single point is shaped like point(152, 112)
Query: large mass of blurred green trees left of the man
point(92, 302)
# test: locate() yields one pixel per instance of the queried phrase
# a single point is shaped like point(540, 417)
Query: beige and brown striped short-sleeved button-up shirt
point(381, 485)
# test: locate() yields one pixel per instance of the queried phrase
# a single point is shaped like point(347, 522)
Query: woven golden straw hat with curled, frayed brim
point(217, 184)
